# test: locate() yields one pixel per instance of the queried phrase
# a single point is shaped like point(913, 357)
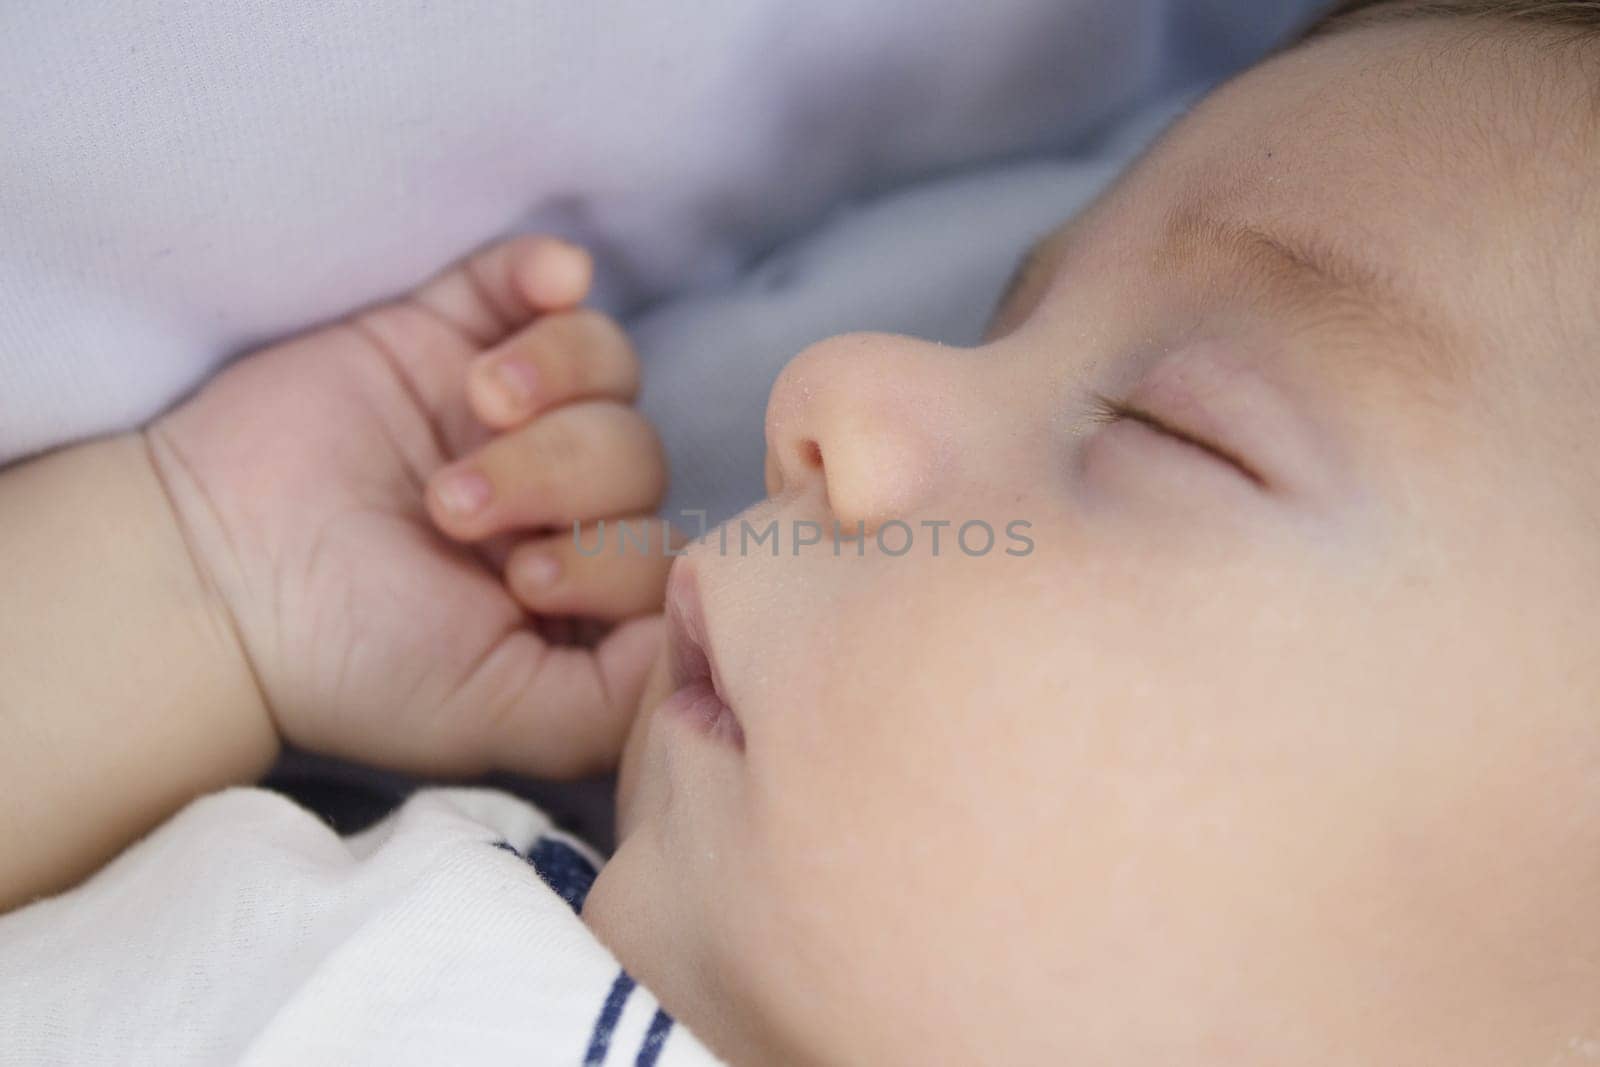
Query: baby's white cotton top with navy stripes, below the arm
point(244, 930)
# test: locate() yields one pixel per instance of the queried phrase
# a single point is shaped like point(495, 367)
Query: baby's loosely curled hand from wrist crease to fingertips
point(313, 481)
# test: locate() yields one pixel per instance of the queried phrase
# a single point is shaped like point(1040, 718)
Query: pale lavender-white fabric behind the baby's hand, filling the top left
point(190, 180)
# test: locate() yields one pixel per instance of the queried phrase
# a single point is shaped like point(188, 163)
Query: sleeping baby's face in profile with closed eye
point(1282, 741)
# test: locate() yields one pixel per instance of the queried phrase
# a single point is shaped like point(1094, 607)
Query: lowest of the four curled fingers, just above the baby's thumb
point(609, 570)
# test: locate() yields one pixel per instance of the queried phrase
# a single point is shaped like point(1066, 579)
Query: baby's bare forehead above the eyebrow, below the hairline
point(1460, 167)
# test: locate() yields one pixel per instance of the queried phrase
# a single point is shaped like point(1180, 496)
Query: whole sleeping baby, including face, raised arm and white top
point(1278, 745)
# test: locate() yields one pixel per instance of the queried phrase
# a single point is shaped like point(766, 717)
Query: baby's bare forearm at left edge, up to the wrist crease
point(124, 692)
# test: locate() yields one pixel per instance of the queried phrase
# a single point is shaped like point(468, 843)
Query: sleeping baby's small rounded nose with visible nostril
point(873, 418)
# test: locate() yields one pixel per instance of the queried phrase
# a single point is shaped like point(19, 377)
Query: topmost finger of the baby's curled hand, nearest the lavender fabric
point(500, 289)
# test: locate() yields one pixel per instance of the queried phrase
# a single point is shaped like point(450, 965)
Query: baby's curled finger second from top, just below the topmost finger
point(575, 356)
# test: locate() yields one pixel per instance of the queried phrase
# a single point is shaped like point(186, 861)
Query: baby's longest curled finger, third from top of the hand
point(585, 462)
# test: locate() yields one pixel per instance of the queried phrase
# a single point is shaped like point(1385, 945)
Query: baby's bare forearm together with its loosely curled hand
point(266, 561)
